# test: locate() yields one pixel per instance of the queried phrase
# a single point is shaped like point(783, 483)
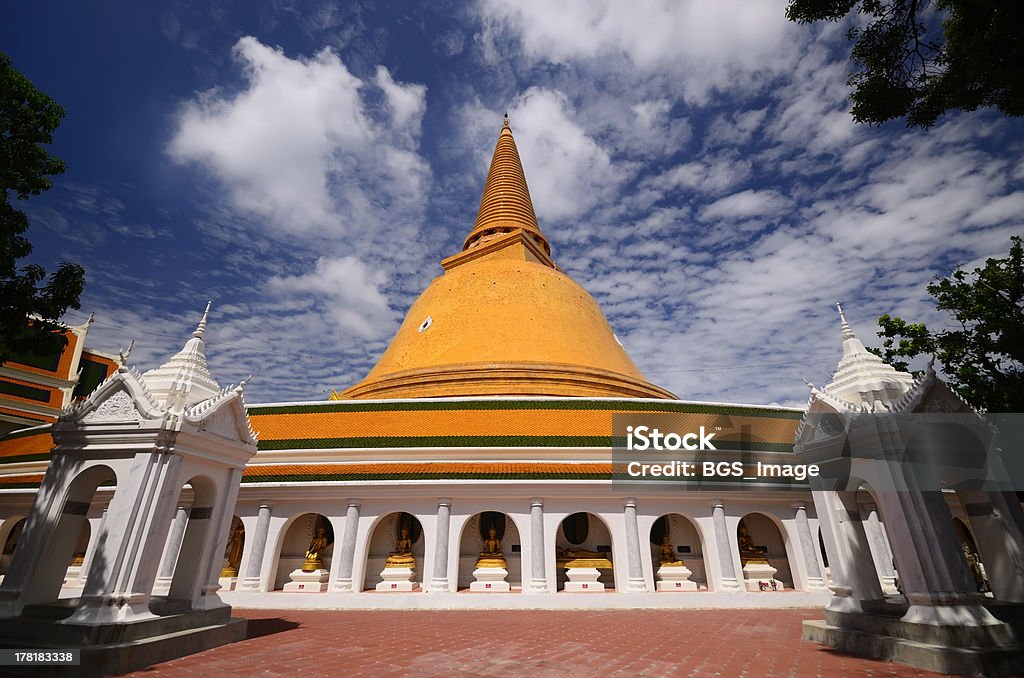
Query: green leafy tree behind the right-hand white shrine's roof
point(983, 354)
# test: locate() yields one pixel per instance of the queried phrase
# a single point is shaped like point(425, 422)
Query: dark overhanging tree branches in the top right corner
point(918, 60)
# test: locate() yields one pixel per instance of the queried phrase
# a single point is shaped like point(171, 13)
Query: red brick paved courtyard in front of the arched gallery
point(534, 644)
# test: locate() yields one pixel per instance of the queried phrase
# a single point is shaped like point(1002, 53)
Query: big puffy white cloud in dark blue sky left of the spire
point(298, 148)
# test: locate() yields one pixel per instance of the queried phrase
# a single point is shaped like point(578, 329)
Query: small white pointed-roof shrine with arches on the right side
point(909, 443)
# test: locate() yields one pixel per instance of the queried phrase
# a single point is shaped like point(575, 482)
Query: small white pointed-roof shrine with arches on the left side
point(158, 439)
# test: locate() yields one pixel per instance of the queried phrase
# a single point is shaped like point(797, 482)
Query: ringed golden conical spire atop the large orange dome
point(506, 205)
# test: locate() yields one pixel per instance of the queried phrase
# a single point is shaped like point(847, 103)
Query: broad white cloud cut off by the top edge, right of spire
point(707, 46)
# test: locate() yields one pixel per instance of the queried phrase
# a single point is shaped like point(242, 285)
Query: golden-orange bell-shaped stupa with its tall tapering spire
point(504, 320)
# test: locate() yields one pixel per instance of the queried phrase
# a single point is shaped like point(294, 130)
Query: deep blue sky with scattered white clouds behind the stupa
point(307, 165)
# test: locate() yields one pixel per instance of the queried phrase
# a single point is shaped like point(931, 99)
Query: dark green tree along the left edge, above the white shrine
point(28, 119)
